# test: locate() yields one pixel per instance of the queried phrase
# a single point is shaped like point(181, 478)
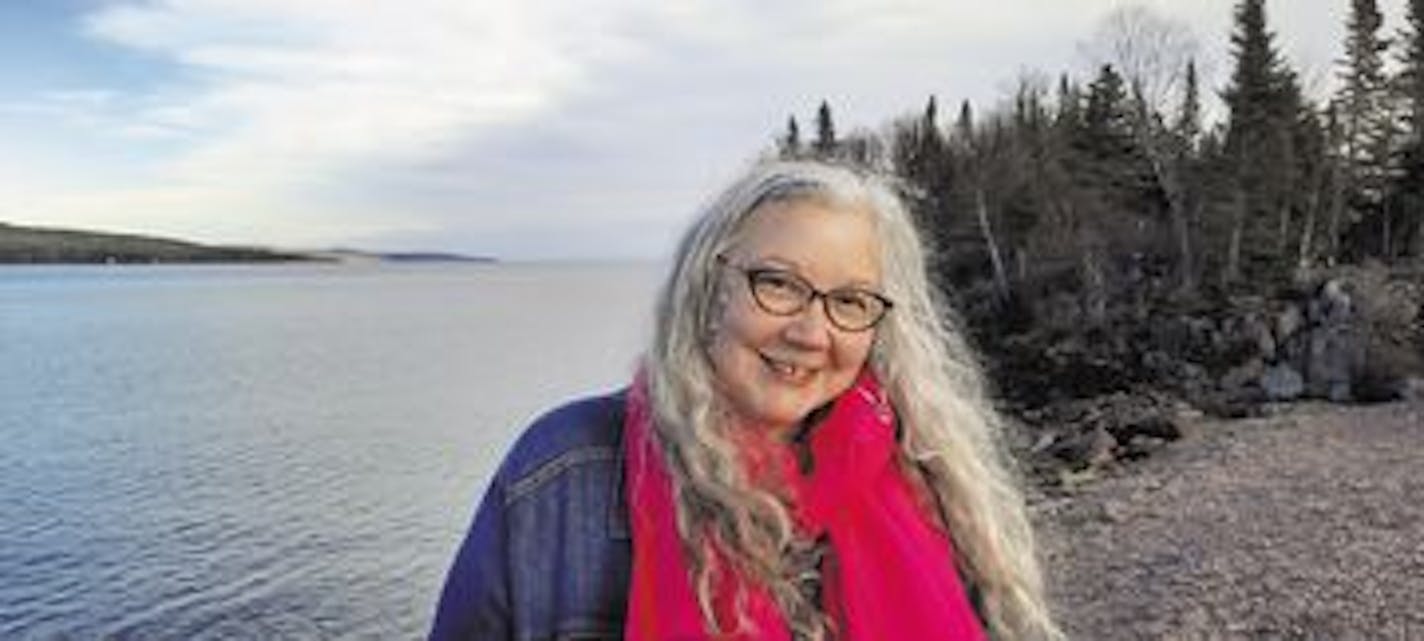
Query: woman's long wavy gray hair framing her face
point(951, 434)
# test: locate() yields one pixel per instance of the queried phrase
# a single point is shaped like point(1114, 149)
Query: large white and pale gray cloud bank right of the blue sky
point(498, 118)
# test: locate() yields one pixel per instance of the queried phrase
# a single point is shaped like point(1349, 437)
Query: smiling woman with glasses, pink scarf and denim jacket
point(807, 454)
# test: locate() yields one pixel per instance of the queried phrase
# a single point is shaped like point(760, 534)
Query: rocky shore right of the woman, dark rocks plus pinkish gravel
point(1224, 465)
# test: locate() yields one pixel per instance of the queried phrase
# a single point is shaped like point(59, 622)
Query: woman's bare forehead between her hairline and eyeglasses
point(822, 240)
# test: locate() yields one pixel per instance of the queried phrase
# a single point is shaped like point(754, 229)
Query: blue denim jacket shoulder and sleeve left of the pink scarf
point(549, 555)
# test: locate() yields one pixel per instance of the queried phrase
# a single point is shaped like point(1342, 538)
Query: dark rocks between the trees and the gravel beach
point(1093, 394)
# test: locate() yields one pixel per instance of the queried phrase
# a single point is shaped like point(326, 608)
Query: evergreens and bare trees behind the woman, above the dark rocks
point(1117, 183)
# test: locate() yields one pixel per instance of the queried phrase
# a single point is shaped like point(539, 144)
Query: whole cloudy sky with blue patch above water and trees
point(522, 130)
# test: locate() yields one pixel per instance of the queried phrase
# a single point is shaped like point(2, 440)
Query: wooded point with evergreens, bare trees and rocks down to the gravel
point(1126, 253)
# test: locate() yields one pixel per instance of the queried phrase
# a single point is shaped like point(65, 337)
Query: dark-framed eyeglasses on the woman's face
point(784, 294)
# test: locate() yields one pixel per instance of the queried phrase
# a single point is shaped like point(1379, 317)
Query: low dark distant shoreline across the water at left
point(36, 246)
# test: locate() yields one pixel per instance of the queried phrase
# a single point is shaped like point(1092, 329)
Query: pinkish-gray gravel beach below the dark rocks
point(1308, 525)
